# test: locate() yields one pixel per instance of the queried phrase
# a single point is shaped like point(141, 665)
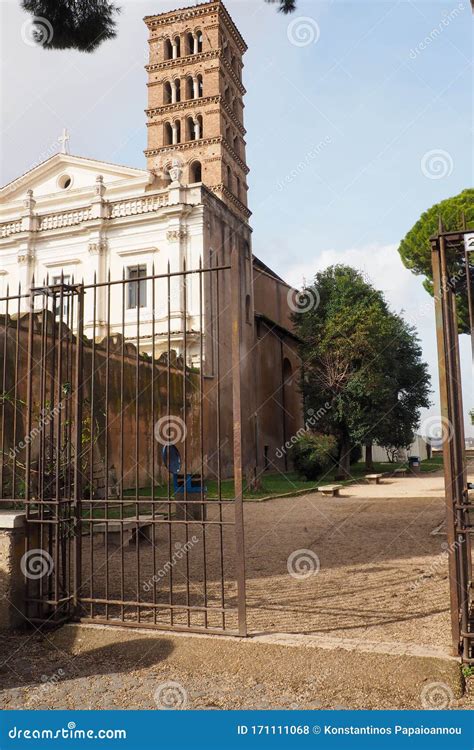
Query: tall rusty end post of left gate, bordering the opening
point(236, 315)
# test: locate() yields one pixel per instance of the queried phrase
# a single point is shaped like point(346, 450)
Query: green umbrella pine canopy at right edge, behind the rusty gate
point(415, 248)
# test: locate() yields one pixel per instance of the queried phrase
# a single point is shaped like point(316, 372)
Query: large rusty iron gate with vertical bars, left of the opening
point(101, 384)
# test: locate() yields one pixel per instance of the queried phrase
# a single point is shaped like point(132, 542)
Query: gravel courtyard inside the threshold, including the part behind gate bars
point(365, 565)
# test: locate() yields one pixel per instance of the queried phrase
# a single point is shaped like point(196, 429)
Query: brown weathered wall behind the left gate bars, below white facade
point(112, 375)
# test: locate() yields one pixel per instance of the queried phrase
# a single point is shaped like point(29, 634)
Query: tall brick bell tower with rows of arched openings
point(195, 100)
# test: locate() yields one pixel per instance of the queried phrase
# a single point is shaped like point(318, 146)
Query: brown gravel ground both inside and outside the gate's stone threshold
point(366, 567)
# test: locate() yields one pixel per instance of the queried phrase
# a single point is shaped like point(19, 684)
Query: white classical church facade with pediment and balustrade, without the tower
point(87, 221)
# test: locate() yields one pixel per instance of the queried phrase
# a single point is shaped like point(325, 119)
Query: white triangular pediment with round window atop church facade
point(63, 177)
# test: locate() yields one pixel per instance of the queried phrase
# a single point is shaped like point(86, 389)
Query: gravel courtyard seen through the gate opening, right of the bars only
point(383, 575)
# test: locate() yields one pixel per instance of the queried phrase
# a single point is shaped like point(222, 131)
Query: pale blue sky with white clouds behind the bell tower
point(359, 117)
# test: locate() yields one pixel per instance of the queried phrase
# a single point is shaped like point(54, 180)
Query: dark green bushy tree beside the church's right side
point(363, 360)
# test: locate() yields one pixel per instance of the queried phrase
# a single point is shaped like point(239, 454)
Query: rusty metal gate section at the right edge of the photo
point(453, 275)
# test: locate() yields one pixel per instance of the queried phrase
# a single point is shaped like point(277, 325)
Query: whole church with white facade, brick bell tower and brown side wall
point(72, 218)
